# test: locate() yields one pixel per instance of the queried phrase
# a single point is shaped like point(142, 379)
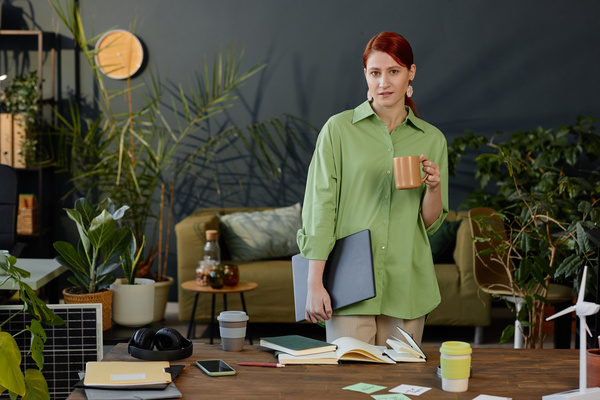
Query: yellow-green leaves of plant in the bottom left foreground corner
point(31, 384)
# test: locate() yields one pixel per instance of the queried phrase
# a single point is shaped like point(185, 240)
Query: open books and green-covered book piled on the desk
point(295, 349)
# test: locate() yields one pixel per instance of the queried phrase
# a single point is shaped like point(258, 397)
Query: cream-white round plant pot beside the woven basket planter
point(133, 305)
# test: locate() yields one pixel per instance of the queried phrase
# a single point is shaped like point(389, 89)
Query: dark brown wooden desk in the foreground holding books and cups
point(522, 374)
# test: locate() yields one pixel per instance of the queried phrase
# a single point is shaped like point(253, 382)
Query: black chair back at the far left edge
point(9, 209)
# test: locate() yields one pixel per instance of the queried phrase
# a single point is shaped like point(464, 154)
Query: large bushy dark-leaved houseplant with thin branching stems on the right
point(548, 194)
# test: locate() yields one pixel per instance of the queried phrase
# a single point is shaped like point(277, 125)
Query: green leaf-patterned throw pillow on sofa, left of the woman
point(262, 235)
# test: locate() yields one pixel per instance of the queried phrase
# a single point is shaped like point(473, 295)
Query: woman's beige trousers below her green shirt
point(373, 329)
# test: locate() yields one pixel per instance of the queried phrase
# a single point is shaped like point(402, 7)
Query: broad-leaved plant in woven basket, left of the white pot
point(101, 249)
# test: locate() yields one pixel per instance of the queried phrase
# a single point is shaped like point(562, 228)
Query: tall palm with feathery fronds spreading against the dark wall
point(136, 156)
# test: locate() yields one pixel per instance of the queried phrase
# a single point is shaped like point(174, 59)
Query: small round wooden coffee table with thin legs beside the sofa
point(241, 287)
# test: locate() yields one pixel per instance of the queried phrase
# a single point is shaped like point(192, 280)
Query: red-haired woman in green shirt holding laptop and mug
point(350, 187)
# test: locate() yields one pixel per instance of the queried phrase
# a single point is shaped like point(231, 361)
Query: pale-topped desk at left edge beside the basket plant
point(44, 271)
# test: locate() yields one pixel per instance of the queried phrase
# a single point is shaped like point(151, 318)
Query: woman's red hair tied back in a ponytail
point(397, 47)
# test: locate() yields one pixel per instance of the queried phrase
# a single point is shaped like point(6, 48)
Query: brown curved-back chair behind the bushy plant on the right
point(491, 275)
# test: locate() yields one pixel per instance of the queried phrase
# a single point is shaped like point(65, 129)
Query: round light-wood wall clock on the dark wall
point(119, 54)
